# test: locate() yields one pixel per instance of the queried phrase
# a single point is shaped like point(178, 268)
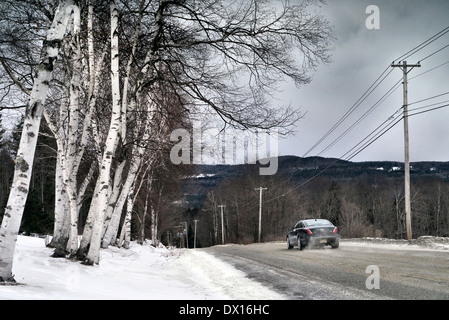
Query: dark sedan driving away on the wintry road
point(313, 232)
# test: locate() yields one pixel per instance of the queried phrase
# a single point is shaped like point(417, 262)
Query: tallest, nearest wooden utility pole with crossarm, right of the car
point(408, 210)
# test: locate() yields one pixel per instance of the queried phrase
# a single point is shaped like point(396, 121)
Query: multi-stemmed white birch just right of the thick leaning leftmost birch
point(72, 140)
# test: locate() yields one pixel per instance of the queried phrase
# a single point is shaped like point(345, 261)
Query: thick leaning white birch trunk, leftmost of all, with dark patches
point(27, 146)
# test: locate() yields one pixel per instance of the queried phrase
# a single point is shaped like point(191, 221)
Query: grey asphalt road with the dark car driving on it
point(315, 274)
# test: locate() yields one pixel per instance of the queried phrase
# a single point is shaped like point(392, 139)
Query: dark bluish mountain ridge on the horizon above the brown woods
point(298, 169)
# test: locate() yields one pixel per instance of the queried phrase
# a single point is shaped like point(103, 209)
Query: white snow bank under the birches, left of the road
point(142, 272)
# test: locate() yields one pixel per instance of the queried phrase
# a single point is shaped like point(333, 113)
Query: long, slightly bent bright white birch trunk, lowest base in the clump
point(93, 256)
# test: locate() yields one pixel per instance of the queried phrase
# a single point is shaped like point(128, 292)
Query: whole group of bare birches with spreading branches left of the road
point(109, 80)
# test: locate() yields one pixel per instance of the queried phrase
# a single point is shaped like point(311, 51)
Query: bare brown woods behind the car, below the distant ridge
point(369, 205)
